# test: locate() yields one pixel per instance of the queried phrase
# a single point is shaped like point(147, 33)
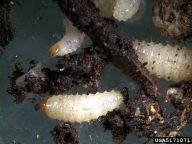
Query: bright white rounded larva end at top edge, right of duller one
point(125, 9)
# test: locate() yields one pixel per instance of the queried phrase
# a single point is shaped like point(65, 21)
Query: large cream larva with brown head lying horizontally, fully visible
point(81, 108)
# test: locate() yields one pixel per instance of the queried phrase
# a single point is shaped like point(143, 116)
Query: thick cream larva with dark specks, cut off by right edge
point(169, 62)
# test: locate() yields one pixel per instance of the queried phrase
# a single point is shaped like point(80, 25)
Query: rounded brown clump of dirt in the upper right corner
point(173, 19)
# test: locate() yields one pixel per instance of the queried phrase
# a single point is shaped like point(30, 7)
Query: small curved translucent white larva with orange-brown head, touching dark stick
point(69, 43)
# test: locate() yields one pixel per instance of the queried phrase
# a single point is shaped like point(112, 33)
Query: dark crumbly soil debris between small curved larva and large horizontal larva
point(83, 69)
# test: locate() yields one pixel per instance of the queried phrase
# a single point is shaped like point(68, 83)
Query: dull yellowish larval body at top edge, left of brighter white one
point(106, 7)
